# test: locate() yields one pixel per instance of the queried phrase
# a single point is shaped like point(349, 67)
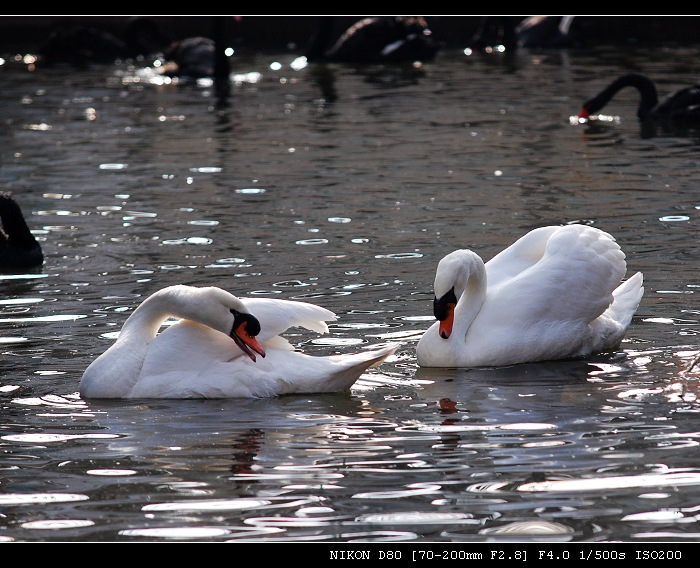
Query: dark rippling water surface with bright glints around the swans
point(344, 186)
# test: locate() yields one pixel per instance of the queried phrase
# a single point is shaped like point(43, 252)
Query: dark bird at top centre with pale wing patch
point(384, 39)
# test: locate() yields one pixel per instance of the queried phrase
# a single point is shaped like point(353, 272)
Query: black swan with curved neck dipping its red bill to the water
point(681, 107)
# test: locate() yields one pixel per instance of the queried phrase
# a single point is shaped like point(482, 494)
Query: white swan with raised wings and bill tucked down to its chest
point(555, 293)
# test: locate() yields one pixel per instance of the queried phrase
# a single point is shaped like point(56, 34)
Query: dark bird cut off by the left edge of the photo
point(18, 247)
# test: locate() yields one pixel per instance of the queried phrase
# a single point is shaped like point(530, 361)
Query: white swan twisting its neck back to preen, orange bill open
point(211, 351)
